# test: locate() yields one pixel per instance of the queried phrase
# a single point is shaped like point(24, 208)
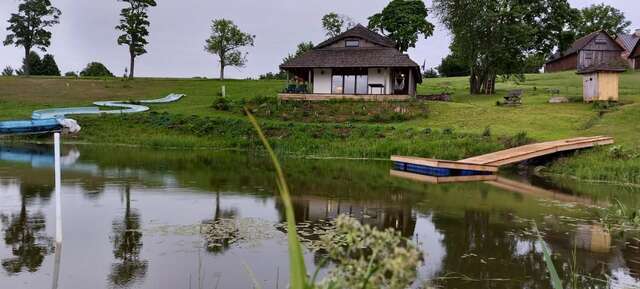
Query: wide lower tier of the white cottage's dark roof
point(351, 57)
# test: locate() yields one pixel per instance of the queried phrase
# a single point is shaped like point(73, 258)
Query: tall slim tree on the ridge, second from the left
point(134, 23)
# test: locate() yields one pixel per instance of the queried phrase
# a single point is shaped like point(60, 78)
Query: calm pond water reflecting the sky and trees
point(134, 219)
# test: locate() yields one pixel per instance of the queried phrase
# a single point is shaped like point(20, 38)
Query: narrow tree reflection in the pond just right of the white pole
point(127, 245)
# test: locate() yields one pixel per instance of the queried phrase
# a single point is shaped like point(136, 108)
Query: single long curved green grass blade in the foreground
point(297, 268)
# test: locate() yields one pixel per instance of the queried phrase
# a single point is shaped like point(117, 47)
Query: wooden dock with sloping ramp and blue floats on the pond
point(490, 163)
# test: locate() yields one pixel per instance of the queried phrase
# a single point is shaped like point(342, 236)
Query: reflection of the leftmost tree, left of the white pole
point(25, 232)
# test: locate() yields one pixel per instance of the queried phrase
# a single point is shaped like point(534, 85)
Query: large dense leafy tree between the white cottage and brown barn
point(499, 37)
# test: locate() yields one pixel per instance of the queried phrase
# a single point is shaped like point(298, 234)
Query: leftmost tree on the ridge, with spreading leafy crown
point(28, 27)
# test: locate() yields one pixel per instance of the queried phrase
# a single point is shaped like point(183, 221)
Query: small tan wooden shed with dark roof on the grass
point(600, 82)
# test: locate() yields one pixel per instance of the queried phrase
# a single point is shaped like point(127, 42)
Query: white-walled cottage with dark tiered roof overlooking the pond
point(357, 64)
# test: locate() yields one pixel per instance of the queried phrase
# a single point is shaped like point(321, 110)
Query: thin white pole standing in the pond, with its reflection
point(58, 183)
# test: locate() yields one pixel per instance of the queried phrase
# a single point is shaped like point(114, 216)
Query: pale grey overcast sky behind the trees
point(179, 28)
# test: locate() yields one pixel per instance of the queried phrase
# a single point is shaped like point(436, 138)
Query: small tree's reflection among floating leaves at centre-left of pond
point(220, 231)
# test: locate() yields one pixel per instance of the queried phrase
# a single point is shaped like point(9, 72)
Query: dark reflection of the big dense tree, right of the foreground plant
point(483, 251)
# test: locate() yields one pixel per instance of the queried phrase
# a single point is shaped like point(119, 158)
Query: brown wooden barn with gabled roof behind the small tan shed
point(594, 49)
